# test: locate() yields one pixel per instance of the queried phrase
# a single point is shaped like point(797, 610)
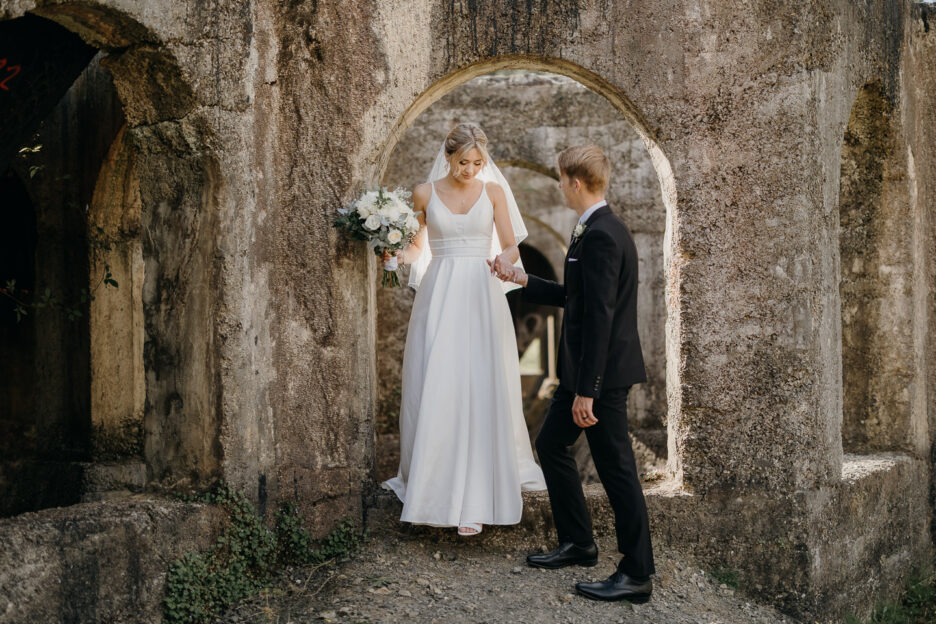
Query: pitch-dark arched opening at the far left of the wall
point(40, 465)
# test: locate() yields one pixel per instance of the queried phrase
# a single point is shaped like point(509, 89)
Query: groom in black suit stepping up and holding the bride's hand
point(599, 360)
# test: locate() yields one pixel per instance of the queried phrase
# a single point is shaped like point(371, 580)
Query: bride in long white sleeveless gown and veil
point(465, 453)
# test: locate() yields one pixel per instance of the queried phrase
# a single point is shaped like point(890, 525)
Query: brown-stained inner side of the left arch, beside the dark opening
point(153, 213)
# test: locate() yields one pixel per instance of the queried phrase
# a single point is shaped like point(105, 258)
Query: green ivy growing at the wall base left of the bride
point(245, 558)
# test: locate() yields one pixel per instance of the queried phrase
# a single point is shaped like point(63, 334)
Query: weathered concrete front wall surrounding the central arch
point(259, 318)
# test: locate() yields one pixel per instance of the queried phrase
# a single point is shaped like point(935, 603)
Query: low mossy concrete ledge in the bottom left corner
point(97, 562)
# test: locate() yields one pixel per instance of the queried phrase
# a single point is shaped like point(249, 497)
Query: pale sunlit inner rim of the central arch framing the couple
point(660, 163)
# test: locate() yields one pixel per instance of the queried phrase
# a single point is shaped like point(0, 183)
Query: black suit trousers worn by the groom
point(614, 459)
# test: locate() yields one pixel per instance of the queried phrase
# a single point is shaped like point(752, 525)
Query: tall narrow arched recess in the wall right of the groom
point(876, 280)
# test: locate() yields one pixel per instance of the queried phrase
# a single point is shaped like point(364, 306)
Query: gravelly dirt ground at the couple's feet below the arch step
point(400, 578)
